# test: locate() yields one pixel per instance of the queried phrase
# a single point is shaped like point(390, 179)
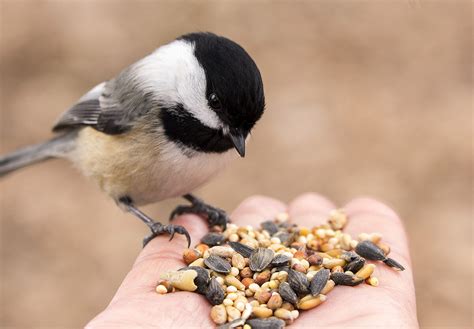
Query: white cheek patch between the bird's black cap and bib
point(174, 75)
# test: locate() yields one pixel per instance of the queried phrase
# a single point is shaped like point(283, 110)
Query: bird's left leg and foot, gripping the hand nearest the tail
point(156, 227)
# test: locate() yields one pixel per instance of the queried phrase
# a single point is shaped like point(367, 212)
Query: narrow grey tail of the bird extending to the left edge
point(52, 148)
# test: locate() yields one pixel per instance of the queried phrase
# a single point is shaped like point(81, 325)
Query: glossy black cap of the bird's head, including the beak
point(234, 88)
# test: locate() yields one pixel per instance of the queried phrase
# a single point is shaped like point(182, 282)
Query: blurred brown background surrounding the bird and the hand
point(363, 98)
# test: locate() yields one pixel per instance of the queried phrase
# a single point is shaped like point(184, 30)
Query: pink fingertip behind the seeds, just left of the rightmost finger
point(310, 209)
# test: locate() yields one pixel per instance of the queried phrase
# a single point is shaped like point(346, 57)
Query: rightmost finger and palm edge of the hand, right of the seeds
point(392, 303)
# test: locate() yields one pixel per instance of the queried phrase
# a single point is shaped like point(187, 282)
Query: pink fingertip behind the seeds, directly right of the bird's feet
point(256, 209)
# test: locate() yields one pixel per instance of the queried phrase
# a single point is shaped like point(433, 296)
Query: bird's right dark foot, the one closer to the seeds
point(214, 216)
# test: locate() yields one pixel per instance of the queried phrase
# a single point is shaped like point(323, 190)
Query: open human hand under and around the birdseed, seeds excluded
point(390, 305)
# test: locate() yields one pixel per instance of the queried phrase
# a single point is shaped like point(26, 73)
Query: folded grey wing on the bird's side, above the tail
point(111, 107)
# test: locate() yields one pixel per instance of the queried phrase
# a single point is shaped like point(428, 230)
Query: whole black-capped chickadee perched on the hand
point(161, 128)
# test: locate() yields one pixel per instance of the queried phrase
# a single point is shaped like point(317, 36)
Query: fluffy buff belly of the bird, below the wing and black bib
point(137, 166)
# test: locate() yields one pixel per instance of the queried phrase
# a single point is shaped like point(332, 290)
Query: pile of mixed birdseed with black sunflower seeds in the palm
point(264, 278)
